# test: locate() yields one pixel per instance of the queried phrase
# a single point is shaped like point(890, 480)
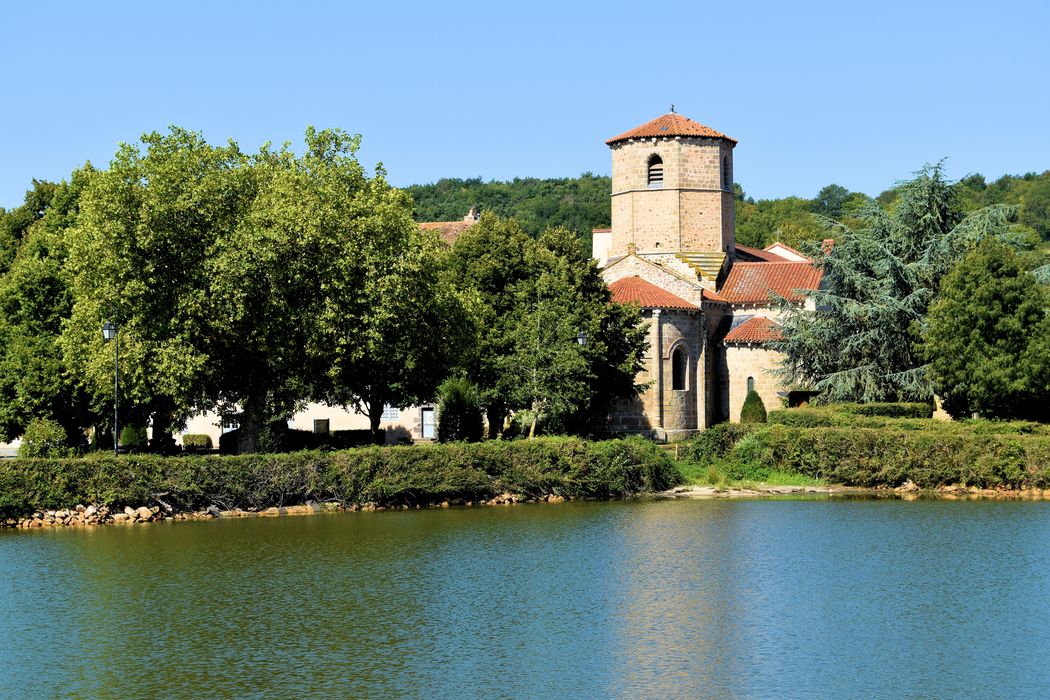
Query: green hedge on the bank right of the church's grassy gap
point(842, 448)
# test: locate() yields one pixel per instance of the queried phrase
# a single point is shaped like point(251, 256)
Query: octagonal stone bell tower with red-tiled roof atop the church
point(673, 193)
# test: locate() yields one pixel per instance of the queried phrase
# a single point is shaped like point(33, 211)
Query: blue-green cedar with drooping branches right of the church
point(864, 342)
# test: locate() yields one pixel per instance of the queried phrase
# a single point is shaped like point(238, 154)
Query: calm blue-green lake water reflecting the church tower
point(700, 599)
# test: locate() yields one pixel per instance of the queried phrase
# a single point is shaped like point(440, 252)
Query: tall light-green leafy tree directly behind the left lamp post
point(139, 256)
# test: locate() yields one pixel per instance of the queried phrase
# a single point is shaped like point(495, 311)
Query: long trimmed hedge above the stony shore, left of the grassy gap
point(418, 475)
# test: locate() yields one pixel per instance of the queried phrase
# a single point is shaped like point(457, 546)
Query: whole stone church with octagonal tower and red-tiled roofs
point(709, 303)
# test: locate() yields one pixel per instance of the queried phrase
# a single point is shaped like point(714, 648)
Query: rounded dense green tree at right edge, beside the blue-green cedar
point(989, 337)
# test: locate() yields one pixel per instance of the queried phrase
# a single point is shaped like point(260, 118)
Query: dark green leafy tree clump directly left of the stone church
point(536, 299)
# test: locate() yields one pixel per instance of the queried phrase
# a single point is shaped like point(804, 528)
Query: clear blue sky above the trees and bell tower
point(816, 93)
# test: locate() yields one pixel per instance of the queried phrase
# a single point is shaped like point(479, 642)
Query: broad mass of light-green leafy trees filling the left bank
point(247, 284)
